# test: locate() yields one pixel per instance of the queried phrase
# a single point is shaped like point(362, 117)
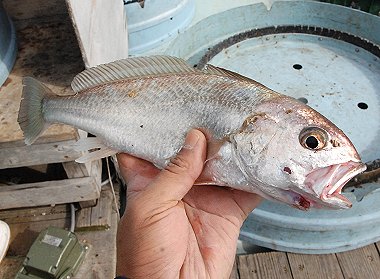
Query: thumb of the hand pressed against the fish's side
point(176, 180)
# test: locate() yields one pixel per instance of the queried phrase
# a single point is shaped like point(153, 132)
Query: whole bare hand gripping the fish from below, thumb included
point(172, 229)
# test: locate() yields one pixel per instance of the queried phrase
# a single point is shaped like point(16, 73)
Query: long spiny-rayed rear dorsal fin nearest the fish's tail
point(128, 68)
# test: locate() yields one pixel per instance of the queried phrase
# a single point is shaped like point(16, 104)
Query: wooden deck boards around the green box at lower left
point(25, 225)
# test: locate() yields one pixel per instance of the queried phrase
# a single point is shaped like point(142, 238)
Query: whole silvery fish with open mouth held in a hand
point(259, 140)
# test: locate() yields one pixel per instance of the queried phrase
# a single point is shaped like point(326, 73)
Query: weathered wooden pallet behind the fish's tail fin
point(47, 50)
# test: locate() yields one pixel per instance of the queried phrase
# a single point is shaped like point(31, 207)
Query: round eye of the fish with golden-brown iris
point(313, 138)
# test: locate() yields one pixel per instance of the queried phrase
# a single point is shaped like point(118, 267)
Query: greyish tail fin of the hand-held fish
point(30, 116)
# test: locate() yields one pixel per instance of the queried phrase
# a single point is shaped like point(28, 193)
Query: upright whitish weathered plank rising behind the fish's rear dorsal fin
point(101, 30)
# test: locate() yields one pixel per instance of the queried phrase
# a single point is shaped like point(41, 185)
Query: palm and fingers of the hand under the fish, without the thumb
point(194, 237)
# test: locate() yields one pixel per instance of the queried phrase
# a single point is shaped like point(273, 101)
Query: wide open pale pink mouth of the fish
point(327, 183)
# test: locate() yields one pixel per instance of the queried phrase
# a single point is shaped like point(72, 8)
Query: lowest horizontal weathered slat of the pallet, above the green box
point(49, 192)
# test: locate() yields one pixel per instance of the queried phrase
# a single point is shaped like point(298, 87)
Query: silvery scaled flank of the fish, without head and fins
point(181, 103)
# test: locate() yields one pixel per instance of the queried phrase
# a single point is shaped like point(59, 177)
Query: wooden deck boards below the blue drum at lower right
point(362, 263)
